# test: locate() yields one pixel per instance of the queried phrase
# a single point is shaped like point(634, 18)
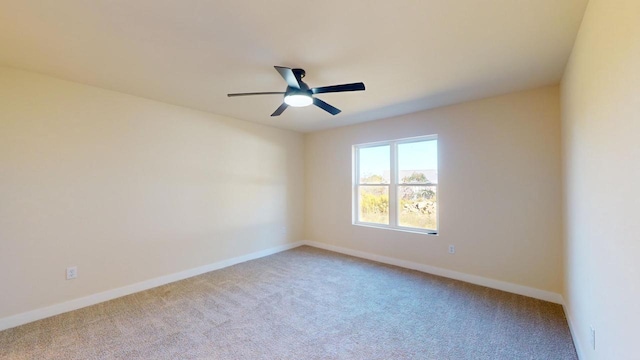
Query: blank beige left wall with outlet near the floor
point(130, 189)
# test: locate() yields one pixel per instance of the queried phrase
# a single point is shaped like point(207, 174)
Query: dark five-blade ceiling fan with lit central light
point(299, 94)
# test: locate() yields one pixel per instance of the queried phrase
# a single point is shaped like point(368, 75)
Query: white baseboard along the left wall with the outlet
point(42, 313)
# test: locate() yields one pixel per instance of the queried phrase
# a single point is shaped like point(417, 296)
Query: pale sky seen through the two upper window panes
point(421, 155)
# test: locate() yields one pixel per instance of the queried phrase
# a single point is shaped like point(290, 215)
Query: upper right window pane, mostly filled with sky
point(418, 162)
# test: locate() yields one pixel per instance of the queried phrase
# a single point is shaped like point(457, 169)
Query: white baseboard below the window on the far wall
point(473, 279)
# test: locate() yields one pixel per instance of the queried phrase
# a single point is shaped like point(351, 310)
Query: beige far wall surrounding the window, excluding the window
point(500, 189)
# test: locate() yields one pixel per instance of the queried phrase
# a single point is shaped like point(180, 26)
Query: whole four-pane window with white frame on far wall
point(396, 184)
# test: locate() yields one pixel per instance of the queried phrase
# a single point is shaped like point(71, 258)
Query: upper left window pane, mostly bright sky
point(375, 163)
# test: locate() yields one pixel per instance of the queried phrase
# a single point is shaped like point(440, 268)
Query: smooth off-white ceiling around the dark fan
point(411, 54)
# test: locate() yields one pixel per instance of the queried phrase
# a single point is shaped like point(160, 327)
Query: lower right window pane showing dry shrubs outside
point(417, 207)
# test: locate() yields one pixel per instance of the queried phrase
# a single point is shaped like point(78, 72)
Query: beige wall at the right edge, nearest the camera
point(601, 132)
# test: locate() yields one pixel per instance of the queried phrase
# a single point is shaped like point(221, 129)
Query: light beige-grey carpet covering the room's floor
point(304, 303)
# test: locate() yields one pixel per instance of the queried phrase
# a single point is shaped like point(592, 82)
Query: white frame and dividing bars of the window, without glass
point(393, 185)
